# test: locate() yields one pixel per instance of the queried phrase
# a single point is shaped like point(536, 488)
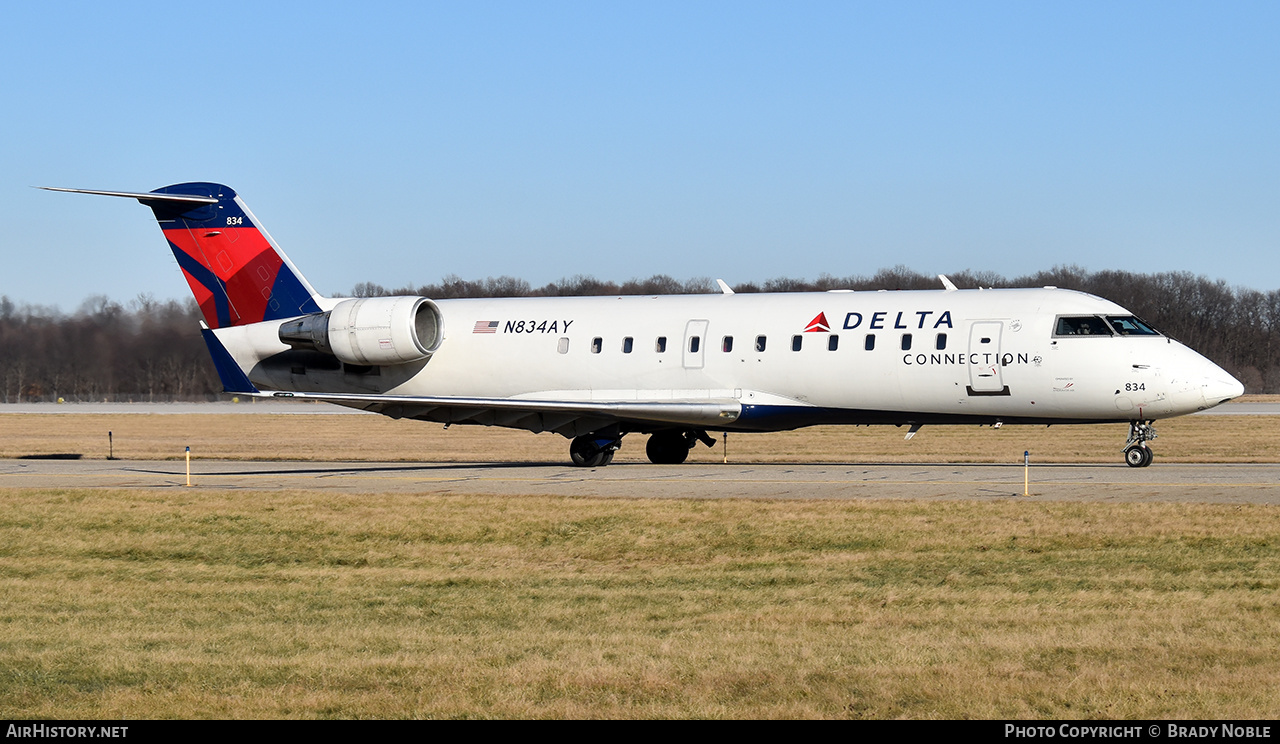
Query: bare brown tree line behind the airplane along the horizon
point(153, 352)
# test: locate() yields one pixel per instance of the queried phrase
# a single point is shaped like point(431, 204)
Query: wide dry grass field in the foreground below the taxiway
point(158, 604)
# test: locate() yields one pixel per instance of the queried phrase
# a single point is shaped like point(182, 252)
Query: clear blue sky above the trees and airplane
point(400, 143)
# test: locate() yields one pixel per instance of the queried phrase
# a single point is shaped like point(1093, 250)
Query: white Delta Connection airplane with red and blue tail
point(676, 368)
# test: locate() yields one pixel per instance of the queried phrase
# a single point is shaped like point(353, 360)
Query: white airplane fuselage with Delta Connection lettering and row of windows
point(938, 357)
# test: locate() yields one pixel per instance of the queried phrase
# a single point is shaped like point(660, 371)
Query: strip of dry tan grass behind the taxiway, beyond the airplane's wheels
point(377, 439)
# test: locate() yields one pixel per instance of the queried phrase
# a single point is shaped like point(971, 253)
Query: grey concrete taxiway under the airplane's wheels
point(1236, 483)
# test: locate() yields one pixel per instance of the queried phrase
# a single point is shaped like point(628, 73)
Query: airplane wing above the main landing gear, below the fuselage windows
point(568, 418)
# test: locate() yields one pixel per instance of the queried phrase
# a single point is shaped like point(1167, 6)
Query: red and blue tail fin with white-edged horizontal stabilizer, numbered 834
point(236, 271)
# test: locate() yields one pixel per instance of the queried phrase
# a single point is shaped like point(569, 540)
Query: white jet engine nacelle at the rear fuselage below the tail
point(371, 331)
